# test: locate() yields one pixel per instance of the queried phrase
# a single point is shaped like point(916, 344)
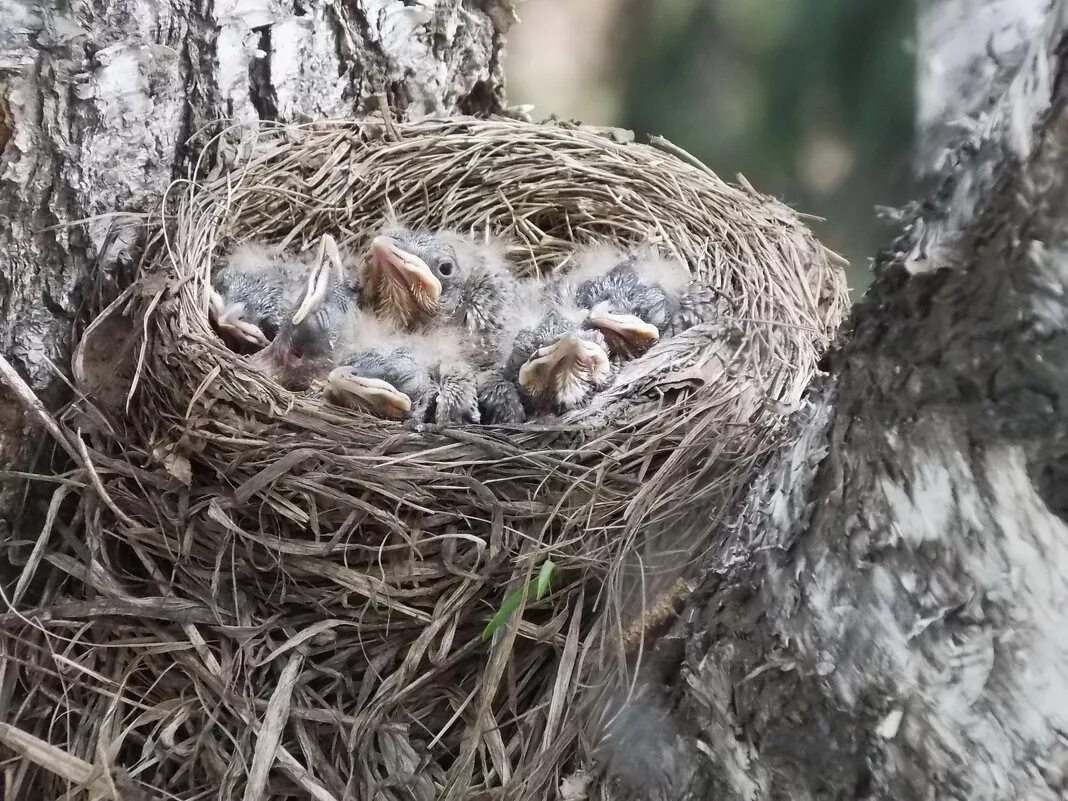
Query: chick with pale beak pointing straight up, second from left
point(311, 340)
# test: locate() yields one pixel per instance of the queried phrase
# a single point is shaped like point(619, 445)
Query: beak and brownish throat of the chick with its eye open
point(402, 281)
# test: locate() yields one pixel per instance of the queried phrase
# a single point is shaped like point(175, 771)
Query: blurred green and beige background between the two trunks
point(812, 101)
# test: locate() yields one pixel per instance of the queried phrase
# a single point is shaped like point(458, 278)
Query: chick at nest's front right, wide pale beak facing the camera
point(557, 365)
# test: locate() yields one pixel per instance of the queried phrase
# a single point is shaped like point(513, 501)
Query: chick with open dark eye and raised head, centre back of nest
point(421, 280)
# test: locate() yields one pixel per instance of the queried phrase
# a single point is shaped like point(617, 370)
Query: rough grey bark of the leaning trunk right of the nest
point(887, 619)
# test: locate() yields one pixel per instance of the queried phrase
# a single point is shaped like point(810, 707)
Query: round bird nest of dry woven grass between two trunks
point(257, 593)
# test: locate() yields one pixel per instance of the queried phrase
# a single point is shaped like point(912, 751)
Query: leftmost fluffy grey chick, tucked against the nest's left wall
point(252, 293)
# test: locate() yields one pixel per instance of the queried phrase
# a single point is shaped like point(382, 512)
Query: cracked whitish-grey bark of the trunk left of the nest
point(98, 101)
